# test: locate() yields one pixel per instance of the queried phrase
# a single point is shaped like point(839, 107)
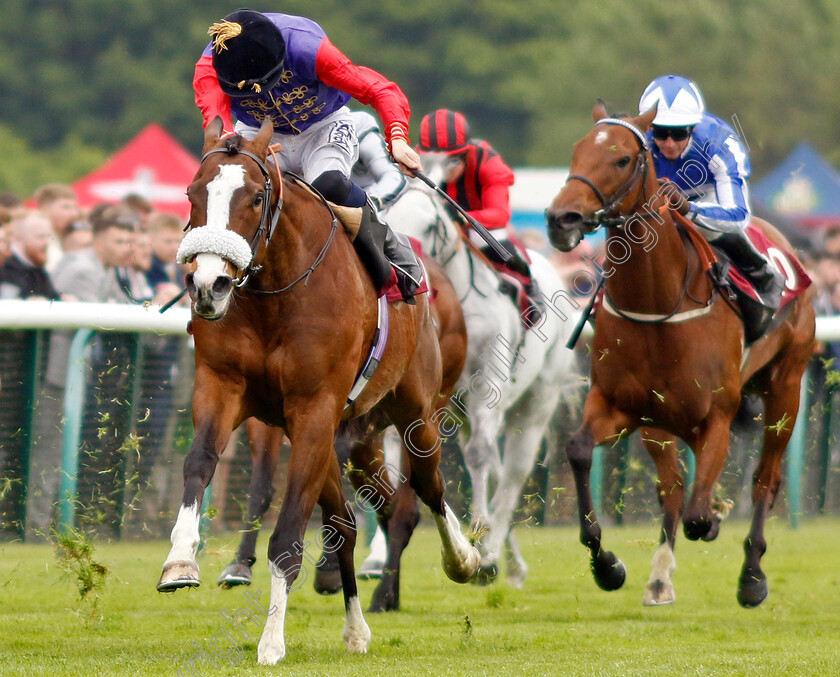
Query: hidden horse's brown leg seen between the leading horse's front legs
point(265, 442)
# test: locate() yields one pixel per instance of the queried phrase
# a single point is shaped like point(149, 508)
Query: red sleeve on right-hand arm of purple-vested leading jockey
point(366, 86)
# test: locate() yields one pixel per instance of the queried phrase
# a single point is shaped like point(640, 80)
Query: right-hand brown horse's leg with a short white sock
point(670, 491)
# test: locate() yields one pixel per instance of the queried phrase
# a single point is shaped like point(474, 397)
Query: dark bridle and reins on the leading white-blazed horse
point(269, 216)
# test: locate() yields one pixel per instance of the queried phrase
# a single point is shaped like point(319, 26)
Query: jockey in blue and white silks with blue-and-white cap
point(707, 161)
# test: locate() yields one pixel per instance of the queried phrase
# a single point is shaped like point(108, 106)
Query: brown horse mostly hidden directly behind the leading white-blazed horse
point(397, 507)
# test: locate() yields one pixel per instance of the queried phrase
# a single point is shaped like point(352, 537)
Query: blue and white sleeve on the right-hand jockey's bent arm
point(728, 210)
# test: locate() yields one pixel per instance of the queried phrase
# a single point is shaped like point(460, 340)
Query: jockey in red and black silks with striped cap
point(479, 181)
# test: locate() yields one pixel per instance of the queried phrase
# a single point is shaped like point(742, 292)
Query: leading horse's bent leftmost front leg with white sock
point(216, 412)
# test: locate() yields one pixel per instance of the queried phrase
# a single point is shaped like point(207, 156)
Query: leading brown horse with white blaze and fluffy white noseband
point(286, 347)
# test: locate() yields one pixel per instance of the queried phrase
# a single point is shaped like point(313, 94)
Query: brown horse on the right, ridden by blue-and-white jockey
point(670, 356)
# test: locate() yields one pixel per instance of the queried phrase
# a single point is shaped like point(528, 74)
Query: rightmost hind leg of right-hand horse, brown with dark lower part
point(781, 406)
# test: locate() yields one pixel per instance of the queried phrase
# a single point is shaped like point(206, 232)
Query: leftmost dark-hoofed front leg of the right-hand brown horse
point(603, 424)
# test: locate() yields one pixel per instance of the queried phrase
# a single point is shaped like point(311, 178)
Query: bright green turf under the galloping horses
point(559, 624)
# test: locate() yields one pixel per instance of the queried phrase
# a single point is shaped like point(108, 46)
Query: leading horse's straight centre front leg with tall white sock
point(311, 426)
